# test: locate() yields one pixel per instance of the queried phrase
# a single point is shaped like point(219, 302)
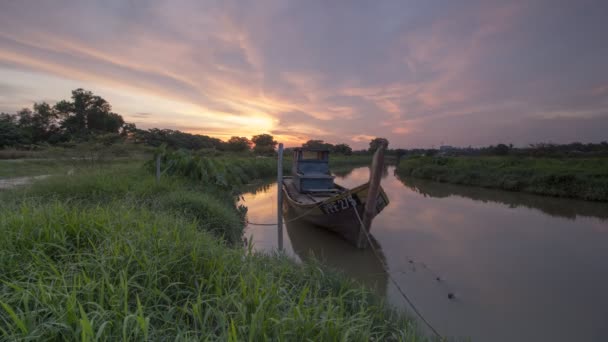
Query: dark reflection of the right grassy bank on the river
point(558, 207)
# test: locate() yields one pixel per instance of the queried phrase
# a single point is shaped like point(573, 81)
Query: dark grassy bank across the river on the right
point(584, 178)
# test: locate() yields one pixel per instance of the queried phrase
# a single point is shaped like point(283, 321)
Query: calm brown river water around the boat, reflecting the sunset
point(523, 267)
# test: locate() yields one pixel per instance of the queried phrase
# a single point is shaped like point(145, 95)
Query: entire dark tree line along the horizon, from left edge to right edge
point(89, 117)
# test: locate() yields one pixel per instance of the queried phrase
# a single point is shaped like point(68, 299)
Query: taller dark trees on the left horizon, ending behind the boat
point(89, 117)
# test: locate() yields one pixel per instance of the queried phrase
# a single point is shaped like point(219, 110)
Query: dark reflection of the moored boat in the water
point(362, 265)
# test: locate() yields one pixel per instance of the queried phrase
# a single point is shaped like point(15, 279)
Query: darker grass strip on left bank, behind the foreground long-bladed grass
point(213, 208)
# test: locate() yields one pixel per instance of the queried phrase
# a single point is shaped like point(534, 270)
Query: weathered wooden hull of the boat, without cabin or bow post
point(335, 213)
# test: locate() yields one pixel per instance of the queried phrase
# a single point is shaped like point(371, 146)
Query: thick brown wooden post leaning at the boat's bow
point(372, 195)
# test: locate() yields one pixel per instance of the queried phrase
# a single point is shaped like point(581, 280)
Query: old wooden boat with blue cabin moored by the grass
point(313, 197)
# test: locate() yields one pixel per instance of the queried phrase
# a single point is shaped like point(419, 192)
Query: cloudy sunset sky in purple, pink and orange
point(420, 73)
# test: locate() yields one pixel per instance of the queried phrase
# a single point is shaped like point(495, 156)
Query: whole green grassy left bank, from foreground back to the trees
point(108, 254)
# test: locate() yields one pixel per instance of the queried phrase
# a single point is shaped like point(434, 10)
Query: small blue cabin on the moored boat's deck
point(310, 170)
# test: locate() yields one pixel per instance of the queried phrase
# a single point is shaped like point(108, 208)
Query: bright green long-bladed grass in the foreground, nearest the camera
point(124, 273)
